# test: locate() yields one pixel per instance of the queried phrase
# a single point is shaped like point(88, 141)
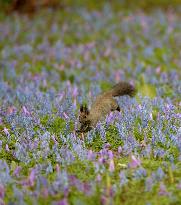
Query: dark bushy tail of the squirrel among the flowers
point(123, 88)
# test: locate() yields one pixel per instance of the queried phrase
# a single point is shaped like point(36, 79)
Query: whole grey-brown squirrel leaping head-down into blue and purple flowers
point(103, 105)
